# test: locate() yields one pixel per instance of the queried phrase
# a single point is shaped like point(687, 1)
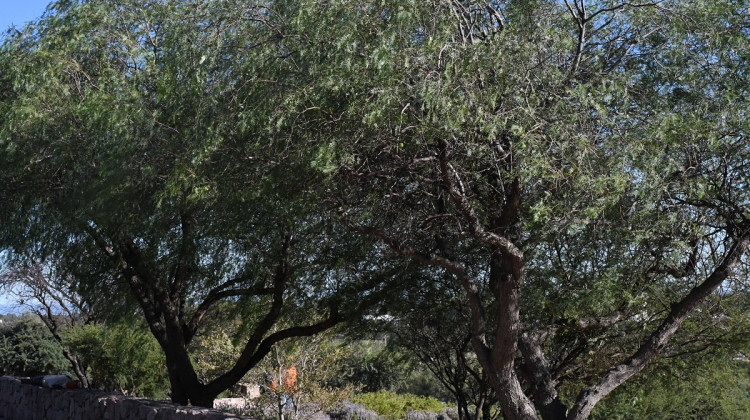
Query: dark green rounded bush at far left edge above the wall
point(28, 349)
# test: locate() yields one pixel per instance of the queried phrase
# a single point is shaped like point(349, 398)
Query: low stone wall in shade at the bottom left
point(29, 402)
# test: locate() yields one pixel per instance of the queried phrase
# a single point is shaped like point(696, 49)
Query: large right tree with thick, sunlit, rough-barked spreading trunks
point(586, 161)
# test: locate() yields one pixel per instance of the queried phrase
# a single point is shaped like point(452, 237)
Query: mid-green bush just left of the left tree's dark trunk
point(121, 357)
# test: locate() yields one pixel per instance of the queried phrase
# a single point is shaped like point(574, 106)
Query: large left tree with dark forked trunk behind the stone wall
point(138, 161)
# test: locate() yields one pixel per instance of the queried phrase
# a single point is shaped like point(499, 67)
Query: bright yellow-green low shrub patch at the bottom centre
point(394, 406)
